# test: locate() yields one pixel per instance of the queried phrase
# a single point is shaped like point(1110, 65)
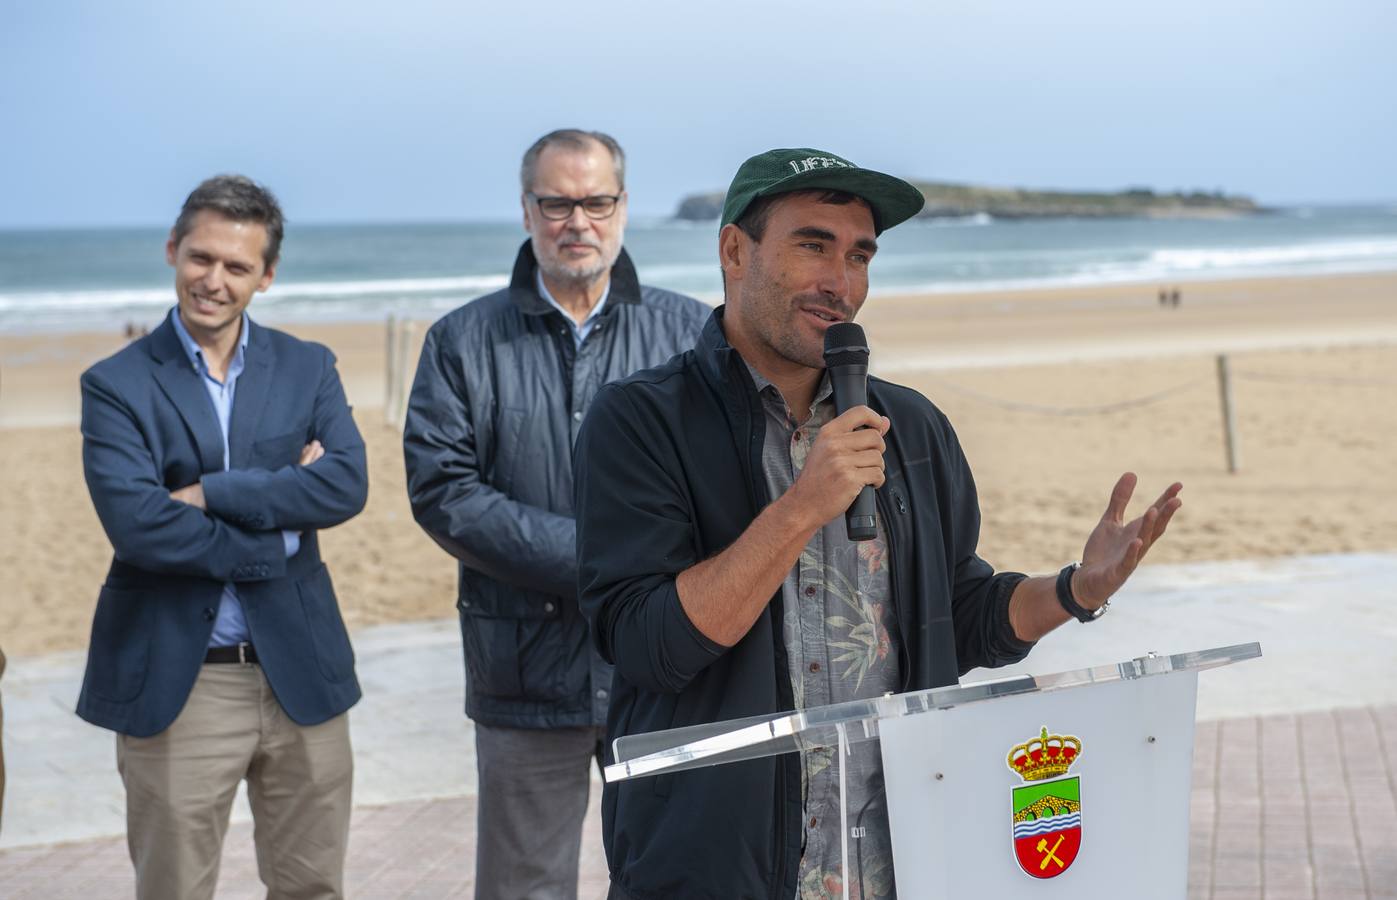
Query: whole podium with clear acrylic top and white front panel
point(1054, 786)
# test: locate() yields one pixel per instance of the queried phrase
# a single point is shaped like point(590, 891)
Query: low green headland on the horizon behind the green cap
point(946, 201)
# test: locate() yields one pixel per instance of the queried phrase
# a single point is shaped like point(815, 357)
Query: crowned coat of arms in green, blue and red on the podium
point(1048, 806)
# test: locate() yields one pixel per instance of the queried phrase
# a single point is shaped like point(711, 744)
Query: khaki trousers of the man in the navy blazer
point(181, 787)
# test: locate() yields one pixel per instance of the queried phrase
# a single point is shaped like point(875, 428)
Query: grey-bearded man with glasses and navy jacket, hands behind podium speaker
point(501, 392)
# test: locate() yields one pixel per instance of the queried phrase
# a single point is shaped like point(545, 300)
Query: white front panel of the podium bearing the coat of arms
point(952, 794)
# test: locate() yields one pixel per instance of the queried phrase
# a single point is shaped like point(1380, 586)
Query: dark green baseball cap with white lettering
point(783, 171)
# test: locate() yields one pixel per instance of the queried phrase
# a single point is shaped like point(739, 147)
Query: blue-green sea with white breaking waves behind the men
point(104, 279)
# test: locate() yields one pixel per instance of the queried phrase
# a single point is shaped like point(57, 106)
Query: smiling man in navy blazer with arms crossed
point(214, 451)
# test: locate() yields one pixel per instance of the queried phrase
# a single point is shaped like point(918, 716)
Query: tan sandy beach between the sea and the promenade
point(1054, 393)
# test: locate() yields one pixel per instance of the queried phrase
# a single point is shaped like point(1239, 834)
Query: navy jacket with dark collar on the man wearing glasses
point(499, 398)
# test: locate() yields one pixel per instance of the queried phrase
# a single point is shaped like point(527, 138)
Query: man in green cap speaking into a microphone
point(717, 572)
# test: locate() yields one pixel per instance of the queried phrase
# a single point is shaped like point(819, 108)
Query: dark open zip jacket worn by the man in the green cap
point(670, 474)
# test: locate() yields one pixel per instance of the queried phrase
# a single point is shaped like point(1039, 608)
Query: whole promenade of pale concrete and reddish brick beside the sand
point(1294, 765)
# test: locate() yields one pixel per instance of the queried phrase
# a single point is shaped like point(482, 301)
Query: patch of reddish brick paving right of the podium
point(1296, 807)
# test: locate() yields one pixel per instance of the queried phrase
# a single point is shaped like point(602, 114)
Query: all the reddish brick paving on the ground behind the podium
point(1285, 808)
